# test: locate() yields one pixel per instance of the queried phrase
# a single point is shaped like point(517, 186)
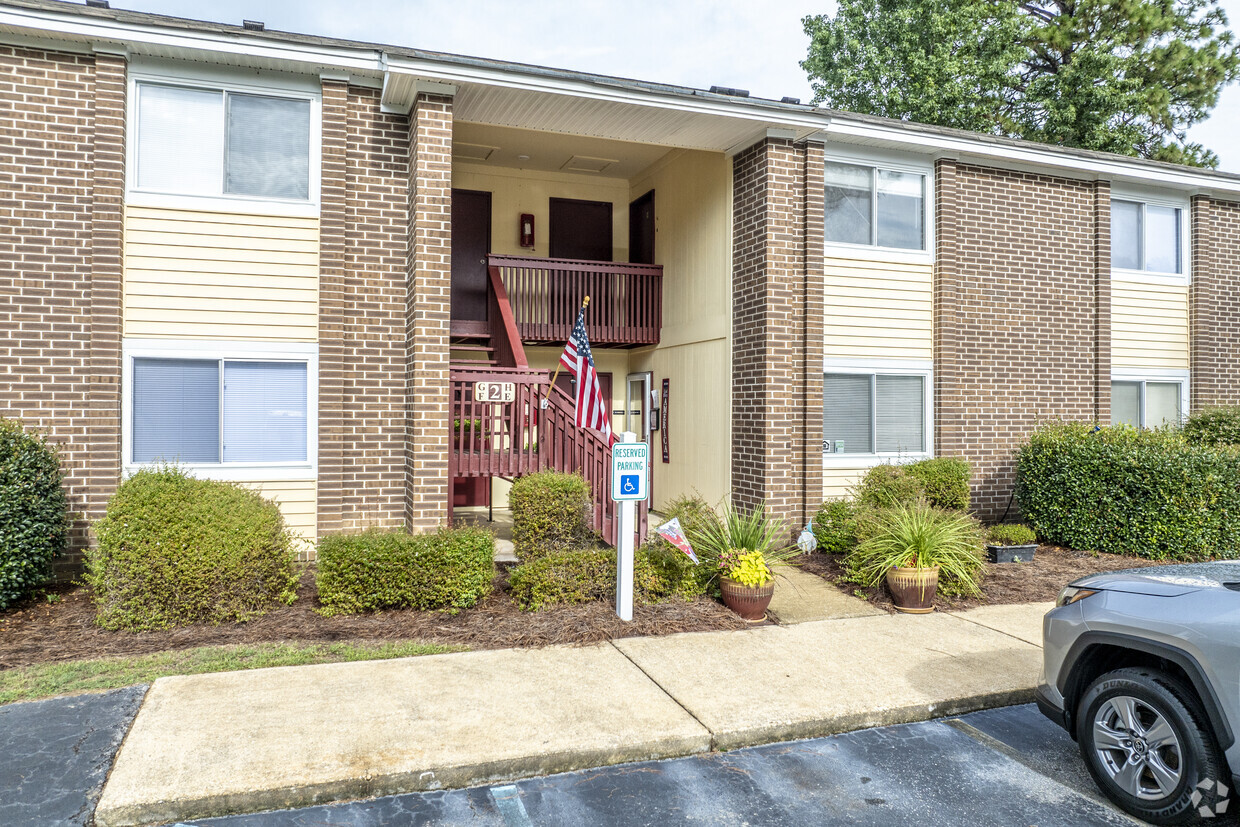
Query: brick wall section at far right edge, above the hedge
point(1215, 304)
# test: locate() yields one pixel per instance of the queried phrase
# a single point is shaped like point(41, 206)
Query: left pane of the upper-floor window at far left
point(180, 139)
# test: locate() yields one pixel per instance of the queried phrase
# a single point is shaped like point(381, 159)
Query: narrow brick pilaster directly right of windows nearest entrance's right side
point(948, 407)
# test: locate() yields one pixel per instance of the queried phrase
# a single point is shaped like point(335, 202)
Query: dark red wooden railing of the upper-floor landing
point(627, 301)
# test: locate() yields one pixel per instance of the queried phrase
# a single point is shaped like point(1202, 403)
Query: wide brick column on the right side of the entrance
point(769, 330)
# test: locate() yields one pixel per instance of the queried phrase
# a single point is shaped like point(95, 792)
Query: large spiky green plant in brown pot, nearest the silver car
point(912, 549)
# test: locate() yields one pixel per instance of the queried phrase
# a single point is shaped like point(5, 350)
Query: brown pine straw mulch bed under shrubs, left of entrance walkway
point(38, 632)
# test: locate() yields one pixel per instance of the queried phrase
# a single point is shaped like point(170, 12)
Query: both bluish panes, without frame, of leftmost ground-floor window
point(219, 411)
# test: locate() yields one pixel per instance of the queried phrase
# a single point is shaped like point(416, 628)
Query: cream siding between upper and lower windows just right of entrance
point(879, 309)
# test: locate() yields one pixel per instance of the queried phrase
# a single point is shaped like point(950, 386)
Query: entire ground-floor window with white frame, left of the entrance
point(220, 407)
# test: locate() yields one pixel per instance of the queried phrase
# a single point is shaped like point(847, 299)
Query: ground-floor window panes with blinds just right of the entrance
point(874, 413)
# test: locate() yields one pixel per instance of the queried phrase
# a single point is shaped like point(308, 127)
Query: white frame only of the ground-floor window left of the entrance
point(231, 352)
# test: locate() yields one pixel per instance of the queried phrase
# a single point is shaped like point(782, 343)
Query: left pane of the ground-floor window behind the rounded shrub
point(177, 411)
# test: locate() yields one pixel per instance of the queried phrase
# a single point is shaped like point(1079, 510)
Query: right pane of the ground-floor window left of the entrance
point(265, 412)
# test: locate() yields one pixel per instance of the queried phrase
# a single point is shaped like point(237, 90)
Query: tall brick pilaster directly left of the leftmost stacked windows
point(107, 241)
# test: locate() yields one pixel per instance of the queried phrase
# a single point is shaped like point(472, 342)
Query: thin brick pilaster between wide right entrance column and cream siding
point(815, 327)
